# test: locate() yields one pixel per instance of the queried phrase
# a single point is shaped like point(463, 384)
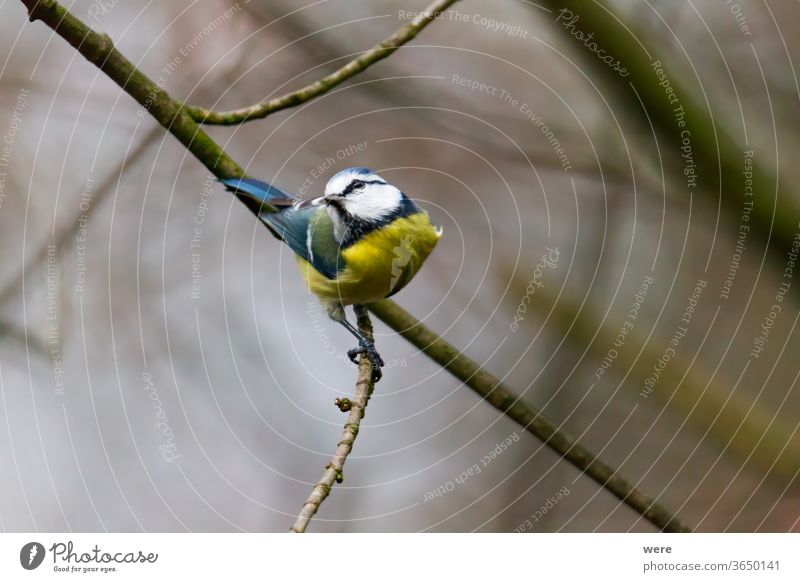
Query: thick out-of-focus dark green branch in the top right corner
point(696, 143)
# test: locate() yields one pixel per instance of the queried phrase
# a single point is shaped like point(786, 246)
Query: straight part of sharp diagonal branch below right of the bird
point(511, 404)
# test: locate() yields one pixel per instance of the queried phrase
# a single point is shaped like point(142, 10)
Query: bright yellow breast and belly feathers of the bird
point(378, 265)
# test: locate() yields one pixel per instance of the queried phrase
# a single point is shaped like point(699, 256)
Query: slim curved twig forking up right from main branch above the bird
point(377, 53)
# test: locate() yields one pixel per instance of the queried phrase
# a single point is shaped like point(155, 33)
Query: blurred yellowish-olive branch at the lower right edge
point(729, 414)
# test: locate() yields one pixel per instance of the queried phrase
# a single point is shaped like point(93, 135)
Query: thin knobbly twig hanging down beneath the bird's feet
point(356, 408)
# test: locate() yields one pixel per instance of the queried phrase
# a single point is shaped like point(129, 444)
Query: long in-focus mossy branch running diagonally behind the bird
point(99, 50)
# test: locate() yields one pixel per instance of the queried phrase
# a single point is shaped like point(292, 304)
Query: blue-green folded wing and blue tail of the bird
point(304, 226)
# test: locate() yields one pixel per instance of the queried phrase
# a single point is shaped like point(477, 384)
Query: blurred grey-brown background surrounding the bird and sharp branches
point(163, 368)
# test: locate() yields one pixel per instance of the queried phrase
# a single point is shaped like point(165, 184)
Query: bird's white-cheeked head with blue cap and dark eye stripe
point(359, 200)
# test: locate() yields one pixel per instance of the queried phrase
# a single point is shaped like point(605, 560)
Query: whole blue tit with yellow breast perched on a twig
point(363, 240)
